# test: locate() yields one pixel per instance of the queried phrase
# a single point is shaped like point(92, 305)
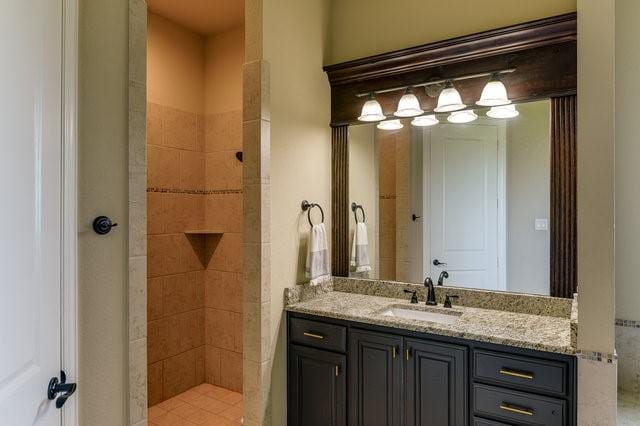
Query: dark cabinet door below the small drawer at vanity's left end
point(317, 387)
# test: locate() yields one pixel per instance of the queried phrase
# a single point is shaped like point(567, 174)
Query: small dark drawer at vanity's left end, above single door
point(318, 334)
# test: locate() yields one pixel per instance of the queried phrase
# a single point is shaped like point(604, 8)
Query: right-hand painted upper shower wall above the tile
point(223, 70)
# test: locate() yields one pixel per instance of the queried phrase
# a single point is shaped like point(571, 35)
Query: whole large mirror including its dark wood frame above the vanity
point(482, 197)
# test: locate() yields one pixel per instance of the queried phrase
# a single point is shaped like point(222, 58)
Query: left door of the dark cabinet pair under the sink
point(375, 374)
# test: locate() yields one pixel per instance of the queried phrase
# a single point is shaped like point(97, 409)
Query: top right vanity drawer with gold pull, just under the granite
point(522, 372)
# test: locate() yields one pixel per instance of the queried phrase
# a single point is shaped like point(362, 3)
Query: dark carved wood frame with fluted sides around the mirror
point(544, 54)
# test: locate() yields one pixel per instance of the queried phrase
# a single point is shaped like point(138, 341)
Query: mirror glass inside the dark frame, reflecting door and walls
point(471, 200)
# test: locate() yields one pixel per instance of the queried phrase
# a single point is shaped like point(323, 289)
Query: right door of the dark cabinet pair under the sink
point(435, 384)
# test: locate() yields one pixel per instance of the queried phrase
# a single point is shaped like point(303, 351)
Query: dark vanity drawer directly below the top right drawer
point(519, 407)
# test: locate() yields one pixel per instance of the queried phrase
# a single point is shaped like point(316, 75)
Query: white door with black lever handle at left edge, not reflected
point(30, 172)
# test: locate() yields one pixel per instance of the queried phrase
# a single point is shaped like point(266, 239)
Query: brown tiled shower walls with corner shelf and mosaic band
point(194, 183)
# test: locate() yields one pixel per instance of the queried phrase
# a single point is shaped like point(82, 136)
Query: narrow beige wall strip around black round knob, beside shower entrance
point(103, 180)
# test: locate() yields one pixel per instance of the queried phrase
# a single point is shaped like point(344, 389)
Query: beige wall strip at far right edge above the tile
point(627, 160)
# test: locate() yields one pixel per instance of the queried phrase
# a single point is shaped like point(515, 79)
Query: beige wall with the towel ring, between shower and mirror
point(295, 35)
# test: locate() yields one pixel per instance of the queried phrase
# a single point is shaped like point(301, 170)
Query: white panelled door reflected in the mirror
point(464, 204)
